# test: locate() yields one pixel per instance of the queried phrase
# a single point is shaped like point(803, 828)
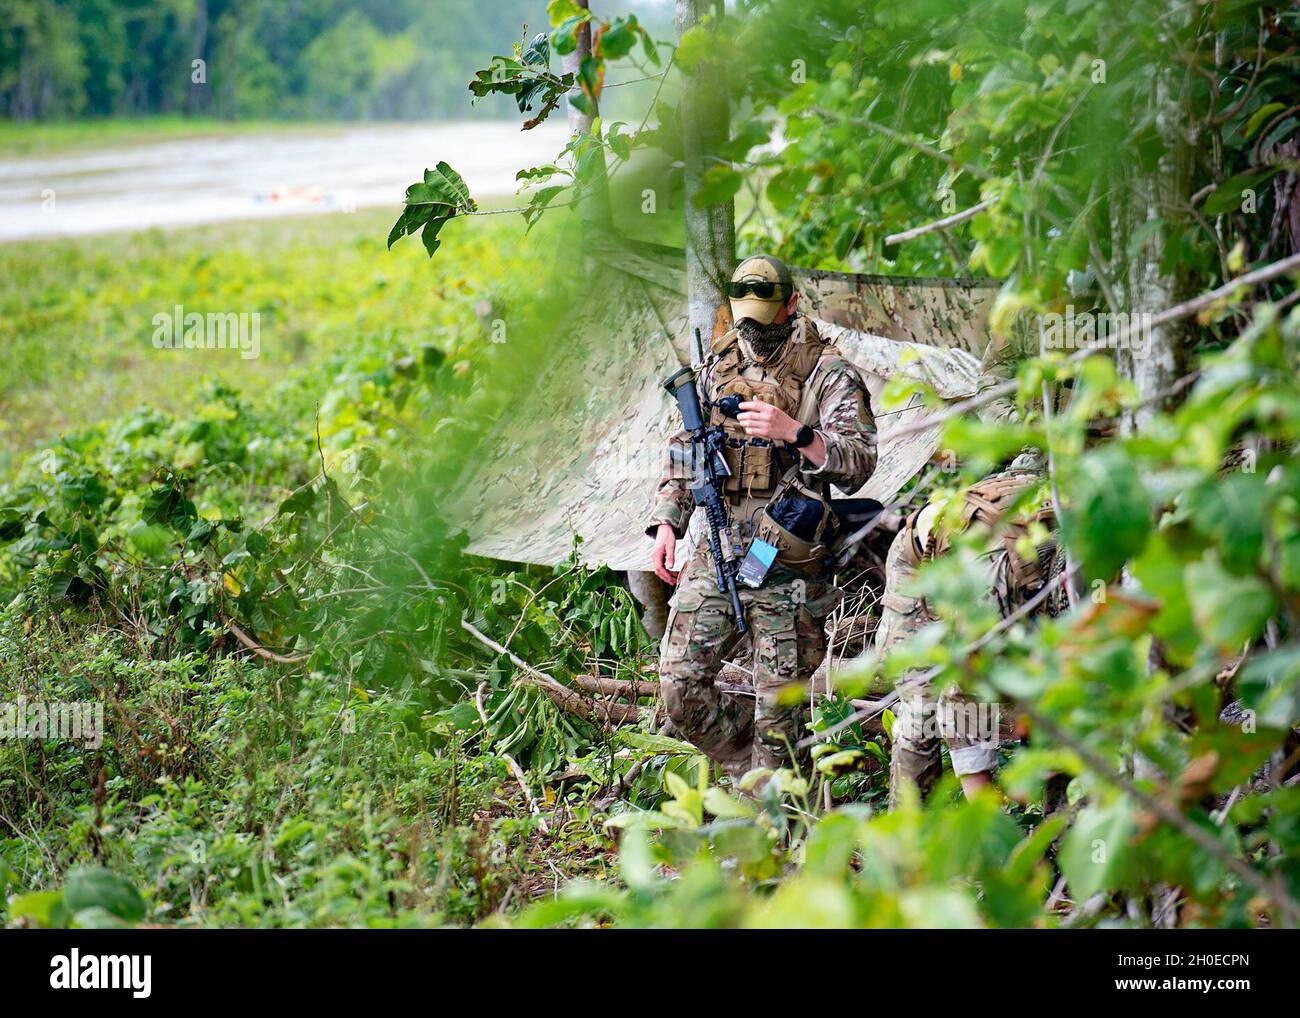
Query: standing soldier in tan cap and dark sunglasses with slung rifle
point(805, 424)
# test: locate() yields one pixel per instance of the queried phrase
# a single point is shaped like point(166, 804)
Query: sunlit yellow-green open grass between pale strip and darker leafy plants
point(77, 315)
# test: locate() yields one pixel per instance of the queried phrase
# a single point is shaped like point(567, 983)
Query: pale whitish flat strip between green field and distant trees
point(252, 176)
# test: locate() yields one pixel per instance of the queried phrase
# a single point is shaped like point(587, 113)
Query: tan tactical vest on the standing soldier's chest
point(756, 463)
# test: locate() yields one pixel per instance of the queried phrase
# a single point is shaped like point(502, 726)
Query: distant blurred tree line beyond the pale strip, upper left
point(263, 59)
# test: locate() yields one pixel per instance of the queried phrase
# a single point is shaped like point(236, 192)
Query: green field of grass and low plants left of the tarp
point(200, 488)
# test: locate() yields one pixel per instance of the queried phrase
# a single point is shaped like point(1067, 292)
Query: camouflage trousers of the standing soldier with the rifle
point(742, 733)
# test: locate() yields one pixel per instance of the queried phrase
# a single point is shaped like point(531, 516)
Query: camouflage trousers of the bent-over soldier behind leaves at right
point(925, 717)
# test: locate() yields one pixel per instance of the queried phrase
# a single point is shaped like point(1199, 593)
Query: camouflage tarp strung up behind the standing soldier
point(583, 458)
